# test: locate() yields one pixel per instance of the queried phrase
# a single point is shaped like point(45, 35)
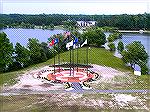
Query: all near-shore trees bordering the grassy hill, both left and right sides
point(14, 58)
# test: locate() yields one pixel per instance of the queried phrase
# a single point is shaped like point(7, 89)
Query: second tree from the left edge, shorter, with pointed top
point(22, 55)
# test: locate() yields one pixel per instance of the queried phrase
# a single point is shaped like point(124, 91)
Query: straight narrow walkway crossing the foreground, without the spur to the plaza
point(92, 91)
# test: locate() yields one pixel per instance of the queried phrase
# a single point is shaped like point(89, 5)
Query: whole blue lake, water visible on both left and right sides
point(22, 36)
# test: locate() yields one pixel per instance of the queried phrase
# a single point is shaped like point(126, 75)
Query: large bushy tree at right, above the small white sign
point(135, 53)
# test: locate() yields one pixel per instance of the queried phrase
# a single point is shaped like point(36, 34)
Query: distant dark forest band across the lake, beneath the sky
point(123, 21)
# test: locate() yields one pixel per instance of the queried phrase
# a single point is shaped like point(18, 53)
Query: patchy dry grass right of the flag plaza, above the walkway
point(128, 82)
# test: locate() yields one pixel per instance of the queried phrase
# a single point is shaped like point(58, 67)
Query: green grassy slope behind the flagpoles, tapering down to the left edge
point(98, 56)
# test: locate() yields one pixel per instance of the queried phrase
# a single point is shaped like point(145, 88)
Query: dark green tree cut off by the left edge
point(6, 51)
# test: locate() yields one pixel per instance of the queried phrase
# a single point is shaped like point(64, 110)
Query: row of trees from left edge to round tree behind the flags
point(17, 57)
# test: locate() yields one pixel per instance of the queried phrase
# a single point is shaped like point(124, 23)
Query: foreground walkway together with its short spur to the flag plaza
point(77, 89)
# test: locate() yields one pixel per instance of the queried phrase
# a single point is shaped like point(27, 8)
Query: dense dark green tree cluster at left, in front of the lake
point(17, 57)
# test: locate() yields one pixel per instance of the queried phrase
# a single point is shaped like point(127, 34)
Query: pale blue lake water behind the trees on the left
point(22, 35)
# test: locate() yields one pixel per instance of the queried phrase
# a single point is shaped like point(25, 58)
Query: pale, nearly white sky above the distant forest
point(88, 7)
